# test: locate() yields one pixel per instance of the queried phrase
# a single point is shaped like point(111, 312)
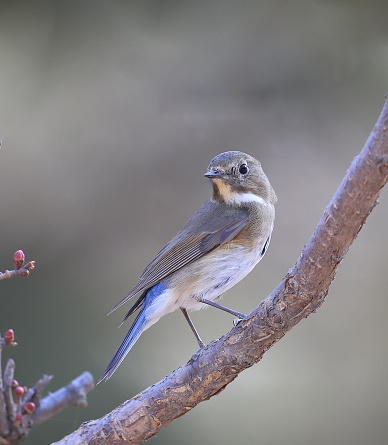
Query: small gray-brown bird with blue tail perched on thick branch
point(220, 244)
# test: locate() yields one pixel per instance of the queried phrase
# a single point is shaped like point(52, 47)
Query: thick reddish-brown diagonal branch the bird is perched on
point(301, 292)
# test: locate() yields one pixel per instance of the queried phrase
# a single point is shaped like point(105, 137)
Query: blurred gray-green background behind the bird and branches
point(110, 112)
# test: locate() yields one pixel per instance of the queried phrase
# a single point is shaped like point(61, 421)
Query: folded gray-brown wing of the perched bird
point(186, 247)
